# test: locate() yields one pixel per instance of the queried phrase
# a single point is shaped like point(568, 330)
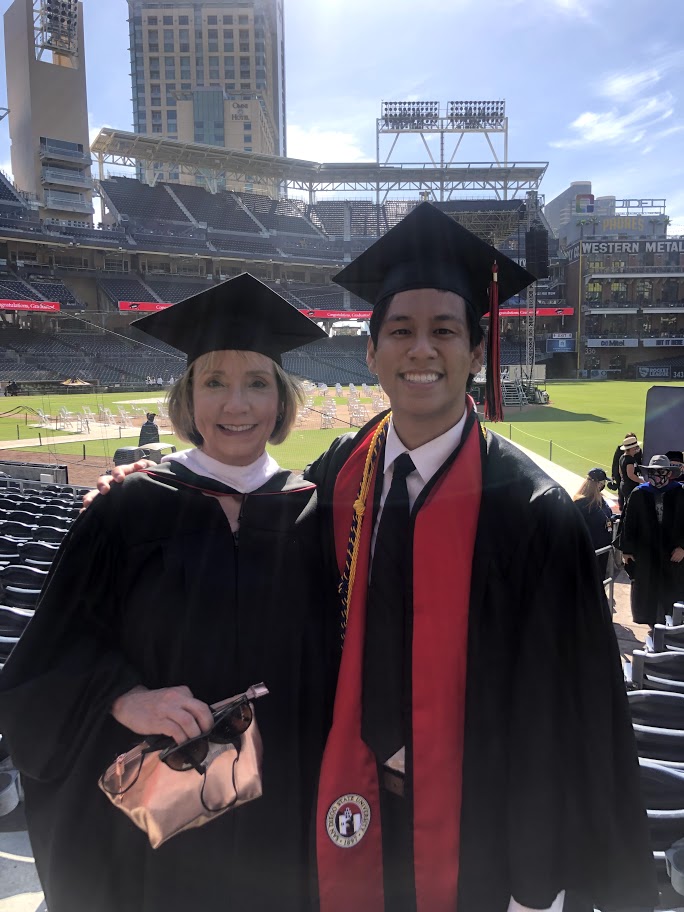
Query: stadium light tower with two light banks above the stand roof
point(458, 119)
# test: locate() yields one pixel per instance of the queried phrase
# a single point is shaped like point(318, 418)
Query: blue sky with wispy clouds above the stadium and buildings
point(594, 87)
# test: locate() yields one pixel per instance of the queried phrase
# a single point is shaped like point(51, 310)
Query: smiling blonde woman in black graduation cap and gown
point(185, 586)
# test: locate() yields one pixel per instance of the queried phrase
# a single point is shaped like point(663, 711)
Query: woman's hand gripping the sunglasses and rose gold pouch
point(171, 711)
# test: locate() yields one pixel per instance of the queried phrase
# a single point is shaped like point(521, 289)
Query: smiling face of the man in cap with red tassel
point(423, 360)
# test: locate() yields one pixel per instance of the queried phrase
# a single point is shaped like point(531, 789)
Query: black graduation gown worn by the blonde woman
point(149, 587)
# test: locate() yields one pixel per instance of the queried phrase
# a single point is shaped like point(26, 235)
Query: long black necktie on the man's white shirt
point(384, 656)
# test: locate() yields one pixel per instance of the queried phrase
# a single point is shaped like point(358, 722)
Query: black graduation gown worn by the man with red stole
point(550, 773)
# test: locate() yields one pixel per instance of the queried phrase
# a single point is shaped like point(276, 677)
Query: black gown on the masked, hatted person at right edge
point(657, 581)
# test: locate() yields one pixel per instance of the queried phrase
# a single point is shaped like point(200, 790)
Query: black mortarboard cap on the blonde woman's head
point(241, 314)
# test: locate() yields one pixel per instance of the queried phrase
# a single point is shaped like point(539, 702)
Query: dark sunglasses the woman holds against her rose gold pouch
point(230, 722)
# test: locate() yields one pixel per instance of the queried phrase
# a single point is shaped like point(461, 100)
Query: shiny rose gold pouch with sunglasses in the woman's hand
point(167, 788)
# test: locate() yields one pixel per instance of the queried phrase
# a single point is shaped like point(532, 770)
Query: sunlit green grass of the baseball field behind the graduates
point(580, 427)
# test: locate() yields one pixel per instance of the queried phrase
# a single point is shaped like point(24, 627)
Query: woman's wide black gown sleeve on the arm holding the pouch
point(59, 683)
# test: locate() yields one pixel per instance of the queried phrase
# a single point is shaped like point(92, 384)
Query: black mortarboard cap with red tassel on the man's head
point(428, 249)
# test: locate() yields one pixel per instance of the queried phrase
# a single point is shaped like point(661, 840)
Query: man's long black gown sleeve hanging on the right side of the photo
point(576, 821)
